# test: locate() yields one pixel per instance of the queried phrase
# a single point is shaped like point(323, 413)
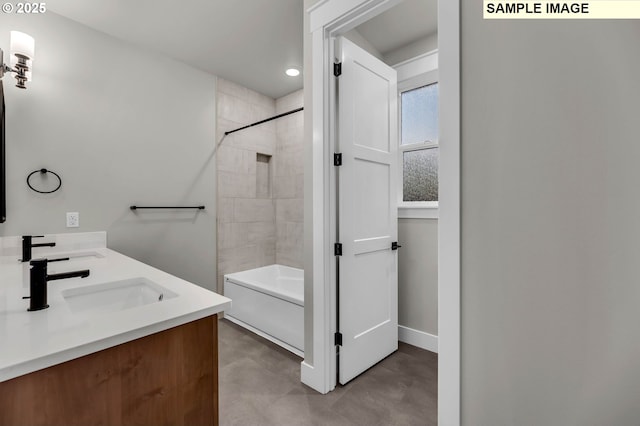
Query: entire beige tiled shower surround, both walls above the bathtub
point(260, 181)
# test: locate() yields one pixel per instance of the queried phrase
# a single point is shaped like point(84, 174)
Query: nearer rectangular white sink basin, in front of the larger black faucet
point(115, 296)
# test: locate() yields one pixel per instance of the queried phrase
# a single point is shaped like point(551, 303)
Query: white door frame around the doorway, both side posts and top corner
point(329, 19)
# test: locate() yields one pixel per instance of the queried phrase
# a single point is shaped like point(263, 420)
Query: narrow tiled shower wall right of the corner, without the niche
point(289, 182)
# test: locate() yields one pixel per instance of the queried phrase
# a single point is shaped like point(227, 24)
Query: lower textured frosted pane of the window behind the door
point(420, 175)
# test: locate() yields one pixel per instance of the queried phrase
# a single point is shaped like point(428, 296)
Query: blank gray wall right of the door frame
point(550, 231)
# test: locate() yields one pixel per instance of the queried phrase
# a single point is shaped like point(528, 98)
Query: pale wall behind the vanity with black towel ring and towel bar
point(121, 126)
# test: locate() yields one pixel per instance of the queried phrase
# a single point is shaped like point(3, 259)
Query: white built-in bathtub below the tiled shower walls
point(270, 302)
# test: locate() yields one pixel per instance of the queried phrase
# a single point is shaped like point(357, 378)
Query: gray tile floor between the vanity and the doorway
point(260, 385)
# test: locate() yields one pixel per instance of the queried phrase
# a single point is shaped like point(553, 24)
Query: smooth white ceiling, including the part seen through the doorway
point(250, 42)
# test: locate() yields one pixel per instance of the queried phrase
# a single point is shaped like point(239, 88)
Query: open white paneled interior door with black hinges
point(367, 212)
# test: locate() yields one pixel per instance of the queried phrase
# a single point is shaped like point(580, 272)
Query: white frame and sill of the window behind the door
point(413, 74)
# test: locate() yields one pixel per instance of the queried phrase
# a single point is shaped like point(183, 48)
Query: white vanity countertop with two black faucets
point(31, 341)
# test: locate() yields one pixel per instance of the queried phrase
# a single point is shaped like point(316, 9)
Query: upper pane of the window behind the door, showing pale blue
point(419, 122)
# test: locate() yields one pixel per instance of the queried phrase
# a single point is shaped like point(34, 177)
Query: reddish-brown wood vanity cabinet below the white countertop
point(170, 377)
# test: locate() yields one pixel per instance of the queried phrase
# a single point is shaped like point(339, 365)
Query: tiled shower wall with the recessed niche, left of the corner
point(246, 221)
